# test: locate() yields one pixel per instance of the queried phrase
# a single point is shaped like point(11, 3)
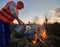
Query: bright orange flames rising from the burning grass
point(43, 36)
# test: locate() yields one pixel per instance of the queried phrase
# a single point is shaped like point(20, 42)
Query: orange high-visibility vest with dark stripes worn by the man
point(6, 14)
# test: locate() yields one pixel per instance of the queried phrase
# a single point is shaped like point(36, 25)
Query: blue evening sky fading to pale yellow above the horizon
point(36, 8)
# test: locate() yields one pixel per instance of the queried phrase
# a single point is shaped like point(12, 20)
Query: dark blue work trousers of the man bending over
point(5, 31)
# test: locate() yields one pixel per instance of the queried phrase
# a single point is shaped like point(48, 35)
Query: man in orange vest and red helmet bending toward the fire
point(7, 14)
